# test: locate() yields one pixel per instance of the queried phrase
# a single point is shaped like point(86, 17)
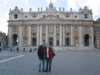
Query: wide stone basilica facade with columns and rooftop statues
point(59, 28)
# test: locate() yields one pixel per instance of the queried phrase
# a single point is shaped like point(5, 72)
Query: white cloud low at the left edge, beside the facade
point(3, 23)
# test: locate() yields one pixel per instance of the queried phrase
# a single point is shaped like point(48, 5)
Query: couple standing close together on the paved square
point(45, 53)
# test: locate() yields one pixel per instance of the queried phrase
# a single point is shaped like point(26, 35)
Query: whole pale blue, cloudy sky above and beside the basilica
point(6, 5)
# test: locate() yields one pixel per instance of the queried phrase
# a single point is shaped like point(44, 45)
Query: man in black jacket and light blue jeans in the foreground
point(41, 55)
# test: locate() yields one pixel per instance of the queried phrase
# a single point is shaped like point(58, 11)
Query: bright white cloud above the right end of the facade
point(92, 4)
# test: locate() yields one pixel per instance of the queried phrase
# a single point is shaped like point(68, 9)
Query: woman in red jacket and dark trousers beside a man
point(49, 56)
